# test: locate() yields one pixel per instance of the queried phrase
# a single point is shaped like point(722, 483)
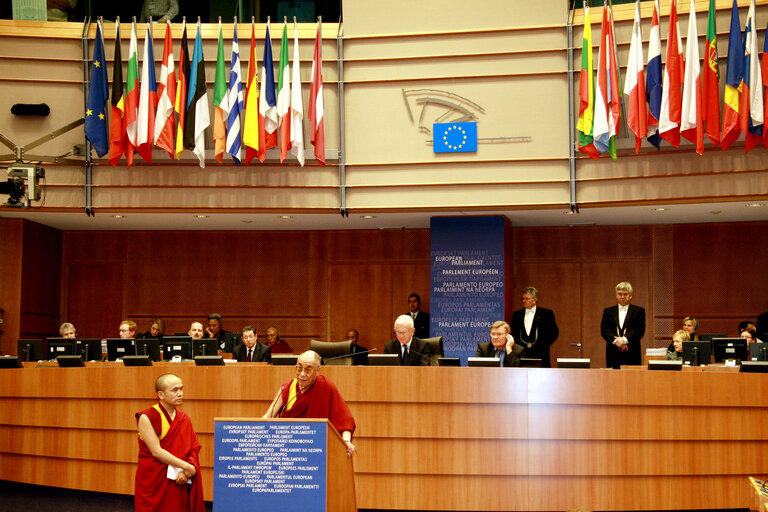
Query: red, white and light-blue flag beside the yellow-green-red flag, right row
point(606, 91)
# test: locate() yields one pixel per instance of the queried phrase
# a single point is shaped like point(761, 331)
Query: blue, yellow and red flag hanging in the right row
point(733, 81)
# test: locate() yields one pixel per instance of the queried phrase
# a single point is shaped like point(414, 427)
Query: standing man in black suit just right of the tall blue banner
point(534, 327)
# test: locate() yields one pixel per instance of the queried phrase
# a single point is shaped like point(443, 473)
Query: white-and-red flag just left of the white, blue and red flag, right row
point(634, 86)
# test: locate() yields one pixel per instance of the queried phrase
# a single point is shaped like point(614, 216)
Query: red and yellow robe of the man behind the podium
point(321, 400)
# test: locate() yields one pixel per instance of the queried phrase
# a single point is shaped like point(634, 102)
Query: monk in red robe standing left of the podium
point(168, 474)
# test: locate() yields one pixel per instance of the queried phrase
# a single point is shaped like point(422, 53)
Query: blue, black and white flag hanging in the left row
point(198, 118)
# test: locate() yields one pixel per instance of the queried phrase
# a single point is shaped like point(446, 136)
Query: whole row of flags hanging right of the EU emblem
point(684, 100)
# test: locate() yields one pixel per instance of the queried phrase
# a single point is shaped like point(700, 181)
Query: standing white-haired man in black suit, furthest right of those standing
point(622, 328)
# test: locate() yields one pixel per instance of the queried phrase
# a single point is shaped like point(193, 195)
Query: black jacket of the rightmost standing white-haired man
point(634, 330)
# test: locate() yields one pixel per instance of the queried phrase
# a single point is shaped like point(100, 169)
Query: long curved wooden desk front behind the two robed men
point(434, 438)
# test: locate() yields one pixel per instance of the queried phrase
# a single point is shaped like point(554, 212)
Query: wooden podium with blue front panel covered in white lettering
point(279, 465)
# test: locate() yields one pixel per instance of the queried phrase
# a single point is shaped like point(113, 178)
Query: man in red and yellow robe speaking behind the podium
point(310, 395)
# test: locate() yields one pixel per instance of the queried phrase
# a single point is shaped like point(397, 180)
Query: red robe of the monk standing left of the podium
point(154, 490)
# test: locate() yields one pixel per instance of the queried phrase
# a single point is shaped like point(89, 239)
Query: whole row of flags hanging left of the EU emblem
point(172, 113)
